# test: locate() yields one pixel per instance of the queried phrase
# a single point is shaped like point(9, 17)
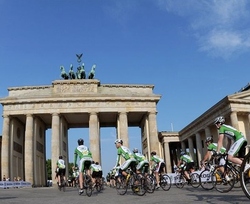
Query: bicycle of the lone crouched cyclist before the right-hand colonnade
point(181, 179)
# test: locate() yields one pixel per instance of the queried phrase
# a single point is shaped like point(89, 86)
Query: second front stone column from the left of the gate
point(29, 150)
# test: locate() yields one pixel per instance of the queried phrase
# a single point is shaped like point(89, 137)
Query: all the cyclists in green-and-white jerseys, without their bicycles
point(138, 163)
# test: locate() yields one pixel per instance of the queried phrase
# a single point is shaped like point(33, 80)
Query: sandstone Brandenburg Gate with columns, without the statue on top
point(30, 110)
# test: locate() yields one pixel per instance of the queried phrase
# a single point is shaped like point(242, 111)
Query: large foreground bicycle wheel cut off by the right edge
point(245, 176)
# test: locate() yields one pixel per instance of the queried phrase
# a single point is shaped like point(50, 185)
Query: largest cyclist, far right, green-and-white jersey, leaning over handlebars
point(236, 141)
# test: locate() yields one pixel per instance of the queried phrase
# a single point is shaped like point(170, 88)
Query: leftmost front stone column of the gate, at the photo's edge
point(5, 164)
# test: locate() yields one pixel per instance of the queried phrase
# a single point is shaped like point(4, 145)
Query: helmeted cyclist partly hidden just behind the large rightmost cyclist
point(212, 147)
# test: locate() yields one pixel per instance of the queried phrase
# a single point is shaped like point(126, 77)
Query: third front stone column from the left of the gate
point(55, 141)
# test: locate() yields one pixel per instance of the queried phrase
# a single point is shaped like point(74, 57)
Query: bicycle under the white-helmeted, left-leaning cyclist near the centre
point(134, 181)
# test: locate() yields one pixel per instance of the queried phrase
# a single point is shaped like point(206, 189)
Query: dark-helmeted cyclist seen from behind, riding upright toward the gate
point(85, 157)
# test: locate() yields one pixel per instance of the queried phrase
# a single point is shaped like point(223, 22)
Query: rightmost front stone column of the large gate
point(153, 134)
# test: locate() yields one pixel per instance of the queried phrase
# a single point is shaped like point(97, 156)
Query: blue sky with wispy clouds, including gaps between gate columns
point(194, 52)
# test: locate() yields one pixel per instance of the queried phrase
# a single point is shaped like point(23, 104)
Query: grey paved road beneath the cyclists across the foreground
point(50, 195)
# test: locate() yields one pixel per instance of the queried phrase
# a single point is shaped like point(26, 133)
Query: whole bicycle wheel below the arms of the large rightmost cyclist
point(222, 184)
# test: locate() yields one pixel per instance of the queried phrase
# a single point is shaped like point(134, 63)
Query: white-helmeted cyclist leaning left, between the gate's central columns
point(127, 155)
